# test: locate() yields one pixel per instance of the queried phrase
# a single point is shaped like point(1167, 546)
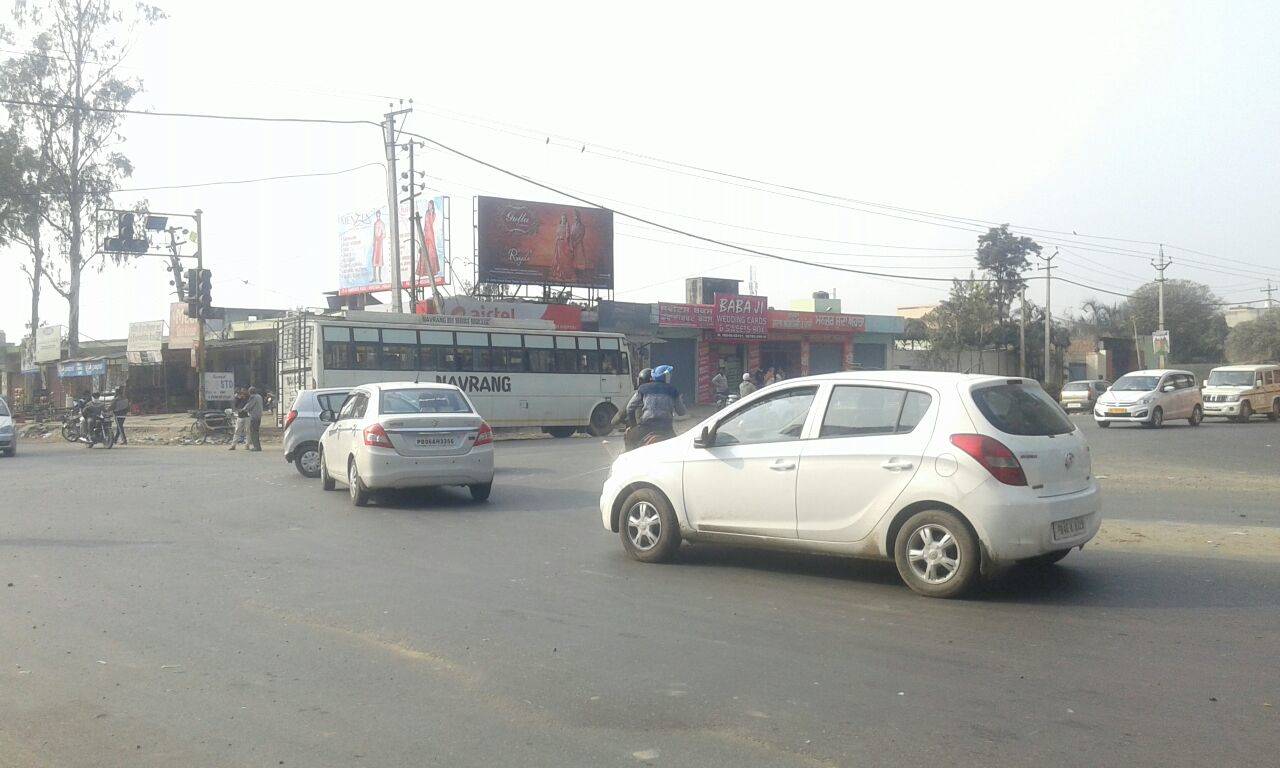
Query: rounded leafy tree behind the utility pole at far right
point(1194, 318)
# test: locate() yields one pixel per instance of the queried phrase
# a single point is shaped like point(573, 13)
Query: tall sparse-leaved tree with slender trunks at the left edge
point(71, 79)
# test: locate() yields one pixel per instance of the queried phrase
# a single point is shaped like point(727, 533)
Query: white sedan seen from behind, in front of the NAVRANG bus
point(403, 435)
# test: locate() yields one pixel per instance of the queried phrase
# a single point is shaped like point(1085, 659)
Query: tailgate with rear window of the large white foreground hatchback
point(1052, 451)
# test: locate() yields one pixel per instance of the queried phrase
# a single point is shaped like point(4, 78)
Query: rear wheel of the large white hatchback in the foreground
point(938, 555)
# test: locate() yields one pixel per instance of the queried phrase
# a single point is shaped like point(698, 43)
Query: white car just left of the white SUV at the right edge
point(1151, 399)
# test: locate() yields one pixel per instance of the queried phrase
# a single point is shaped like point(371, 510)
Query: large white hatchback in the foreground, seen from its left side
point(947, 474)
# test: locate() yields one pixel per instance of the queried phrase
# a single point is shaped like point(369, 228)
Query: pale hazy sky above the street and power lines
point(1151, 122)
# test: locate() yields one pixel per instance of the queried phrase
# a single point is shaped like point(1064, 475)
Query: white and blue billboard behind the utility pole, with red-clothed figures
point(365, 248)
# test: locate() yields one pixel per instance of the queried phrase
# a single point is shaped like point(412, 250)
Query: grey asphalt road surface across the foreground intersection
point(196, 607)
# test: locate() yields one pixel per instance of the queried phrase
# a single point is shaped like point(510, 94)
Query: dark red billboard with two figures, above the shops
point(543, 244)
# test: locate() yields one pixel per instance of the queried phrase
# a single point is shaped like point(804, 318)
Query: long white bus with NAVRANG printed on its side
point(519, 374)
